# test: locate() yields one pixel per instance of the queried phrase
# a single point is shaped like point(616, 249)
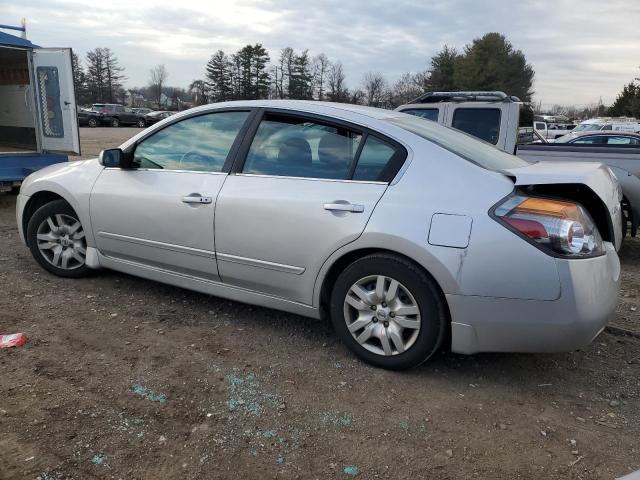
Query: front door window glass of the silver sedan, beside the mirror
point(199, 144)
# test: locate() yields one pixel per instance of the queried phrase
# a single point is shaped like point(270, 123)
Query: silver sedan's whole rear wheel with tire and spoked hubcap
point(388, 311)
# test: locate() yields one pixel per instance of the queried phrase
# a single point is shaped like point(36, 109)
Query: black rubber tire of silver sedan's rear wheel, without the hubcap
point(433, 314)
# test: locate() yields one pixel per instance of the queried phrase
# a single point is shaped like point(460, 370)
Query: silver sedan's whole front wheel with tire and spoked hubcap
point(57, 240)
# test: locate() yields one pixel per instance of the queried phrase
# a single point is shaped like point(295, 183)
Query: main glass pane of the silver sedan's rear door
point(289, 146)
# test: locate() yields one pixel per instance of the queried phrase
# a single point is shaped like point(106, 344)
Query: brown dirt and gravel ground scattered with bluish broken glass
point(124, 378)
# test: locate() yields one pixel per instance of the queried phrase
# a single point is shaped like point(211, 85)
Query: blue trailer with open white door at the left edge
point(38, 119)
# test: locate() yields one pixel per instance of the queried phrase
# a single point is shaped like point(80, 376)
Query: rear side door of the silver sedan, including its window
point(306, 188)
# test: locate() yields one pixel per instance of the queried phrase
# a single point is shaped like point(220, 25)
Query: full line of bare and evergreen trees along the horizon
point(487, 63)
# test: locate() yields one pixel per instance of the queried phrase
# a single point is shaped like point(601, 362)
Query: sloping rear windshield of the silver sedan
point(462, 144)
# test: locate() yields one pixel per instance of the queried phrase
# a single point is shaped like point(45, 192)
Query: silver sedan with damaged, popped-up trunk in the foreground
point(346, 211)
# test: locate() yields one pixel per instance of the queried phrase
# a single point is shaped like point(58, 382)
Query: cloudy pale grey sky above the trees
point(581, 50)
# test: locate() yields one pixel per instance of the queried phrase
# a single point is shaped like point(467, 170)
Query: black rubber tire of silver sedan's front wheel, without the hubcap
point(50, 209)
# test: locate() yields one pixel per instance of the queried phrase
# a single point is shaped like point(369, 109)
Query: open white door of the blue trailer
point(55, 100)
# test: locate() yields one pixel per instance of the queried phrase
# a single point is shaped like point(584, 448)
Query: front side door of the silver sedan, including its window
point(160, 212)
